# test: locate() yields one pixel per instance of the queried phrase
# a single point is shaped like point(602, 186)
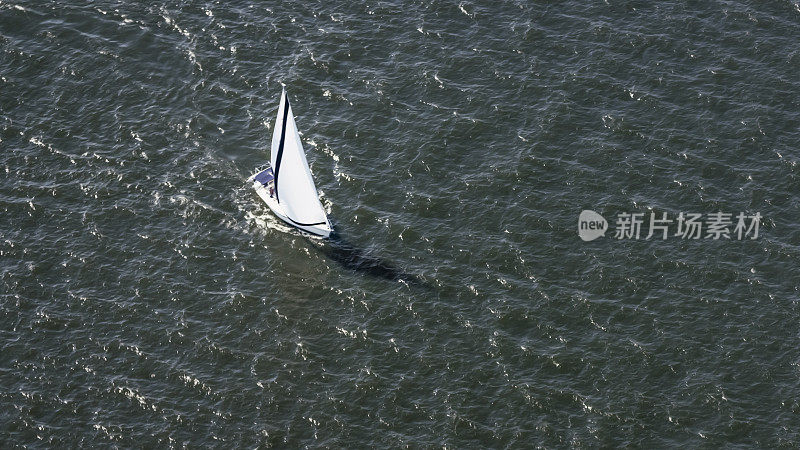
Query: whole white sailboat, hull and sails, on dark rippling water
point(286, 184)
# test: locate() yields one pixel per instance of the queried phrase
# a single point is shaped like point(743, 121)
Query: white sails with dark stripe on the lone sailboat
point(294, 186)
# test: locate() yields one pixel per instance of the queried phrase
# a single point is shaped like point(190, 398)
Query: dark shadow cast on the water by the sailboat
point(359, 260)
